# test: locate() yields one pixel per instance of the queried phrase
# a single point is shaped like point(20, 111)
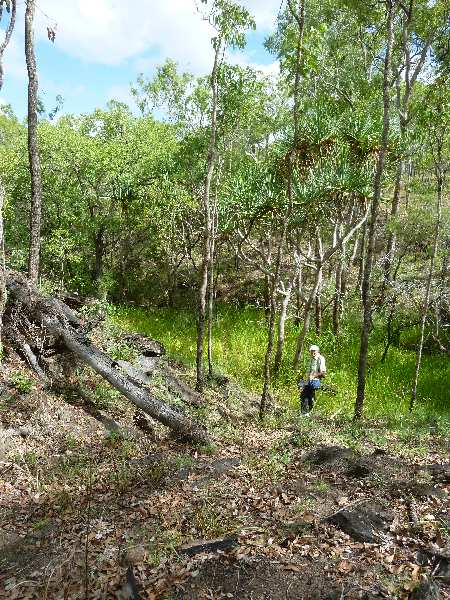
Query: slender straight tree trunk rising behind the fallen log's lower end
point(203, 288)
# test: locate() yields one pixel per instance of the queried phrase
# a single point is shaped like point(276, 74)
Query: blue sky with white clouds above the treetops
point(101, 47)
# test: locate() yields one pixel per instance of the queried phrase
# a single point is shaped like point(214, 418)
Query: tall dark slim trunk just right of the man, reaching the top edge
point(366, 291)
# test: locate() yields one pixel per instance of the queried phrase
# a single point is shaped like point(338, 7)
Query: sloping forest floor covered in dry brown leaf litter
point(91, 507)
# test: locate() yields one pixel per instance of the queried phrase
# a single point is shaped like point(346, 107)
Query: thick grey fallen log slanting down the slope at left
point(58, 321)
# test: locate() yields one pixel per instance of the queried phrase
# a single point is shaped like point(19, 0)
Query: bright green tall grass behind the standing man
point(239, 346)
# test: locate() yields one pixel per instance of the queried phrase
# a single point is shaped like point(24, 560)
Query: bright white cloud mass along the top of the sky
point(112, 31)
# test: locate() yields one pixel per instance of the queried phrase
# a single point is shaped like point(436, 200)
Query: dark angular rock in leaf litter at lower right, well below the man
point(364, 523)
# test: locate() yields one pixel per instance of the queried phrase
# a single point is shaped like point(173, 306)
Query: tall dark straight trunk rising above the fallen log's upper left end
point(33, 149)
